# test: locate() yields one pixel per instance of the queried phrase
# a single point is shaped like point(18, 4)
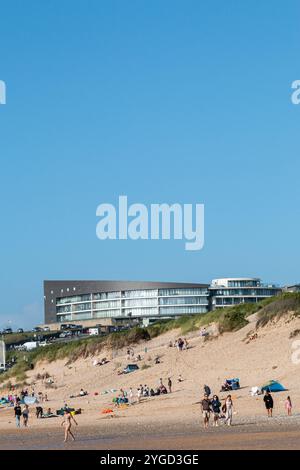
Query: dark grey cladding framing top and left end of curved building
point(90, 287)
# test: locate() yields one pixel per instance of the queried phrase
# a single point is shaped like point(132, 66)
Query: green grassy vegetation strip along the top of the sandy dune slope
point(228, 319)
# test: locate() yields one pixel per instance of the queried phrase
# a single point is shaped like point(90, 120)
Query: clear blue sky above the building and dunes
point(163, 101)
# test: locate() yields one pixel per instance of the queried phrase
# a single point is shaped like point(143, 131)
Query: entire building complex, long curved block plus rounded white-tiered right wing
point(99, 301)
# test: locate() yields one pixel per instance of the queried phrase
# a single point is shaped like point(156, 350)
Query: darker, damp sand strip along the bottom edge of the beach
point(238, 437)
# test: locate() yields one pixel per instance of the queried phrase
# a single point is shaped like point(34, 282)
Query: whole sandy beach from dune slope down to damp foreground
point(173, 420)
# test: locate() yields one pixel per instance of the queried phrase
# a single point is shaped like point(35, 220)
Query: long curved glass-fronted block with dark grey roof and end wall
point(71, 301)
